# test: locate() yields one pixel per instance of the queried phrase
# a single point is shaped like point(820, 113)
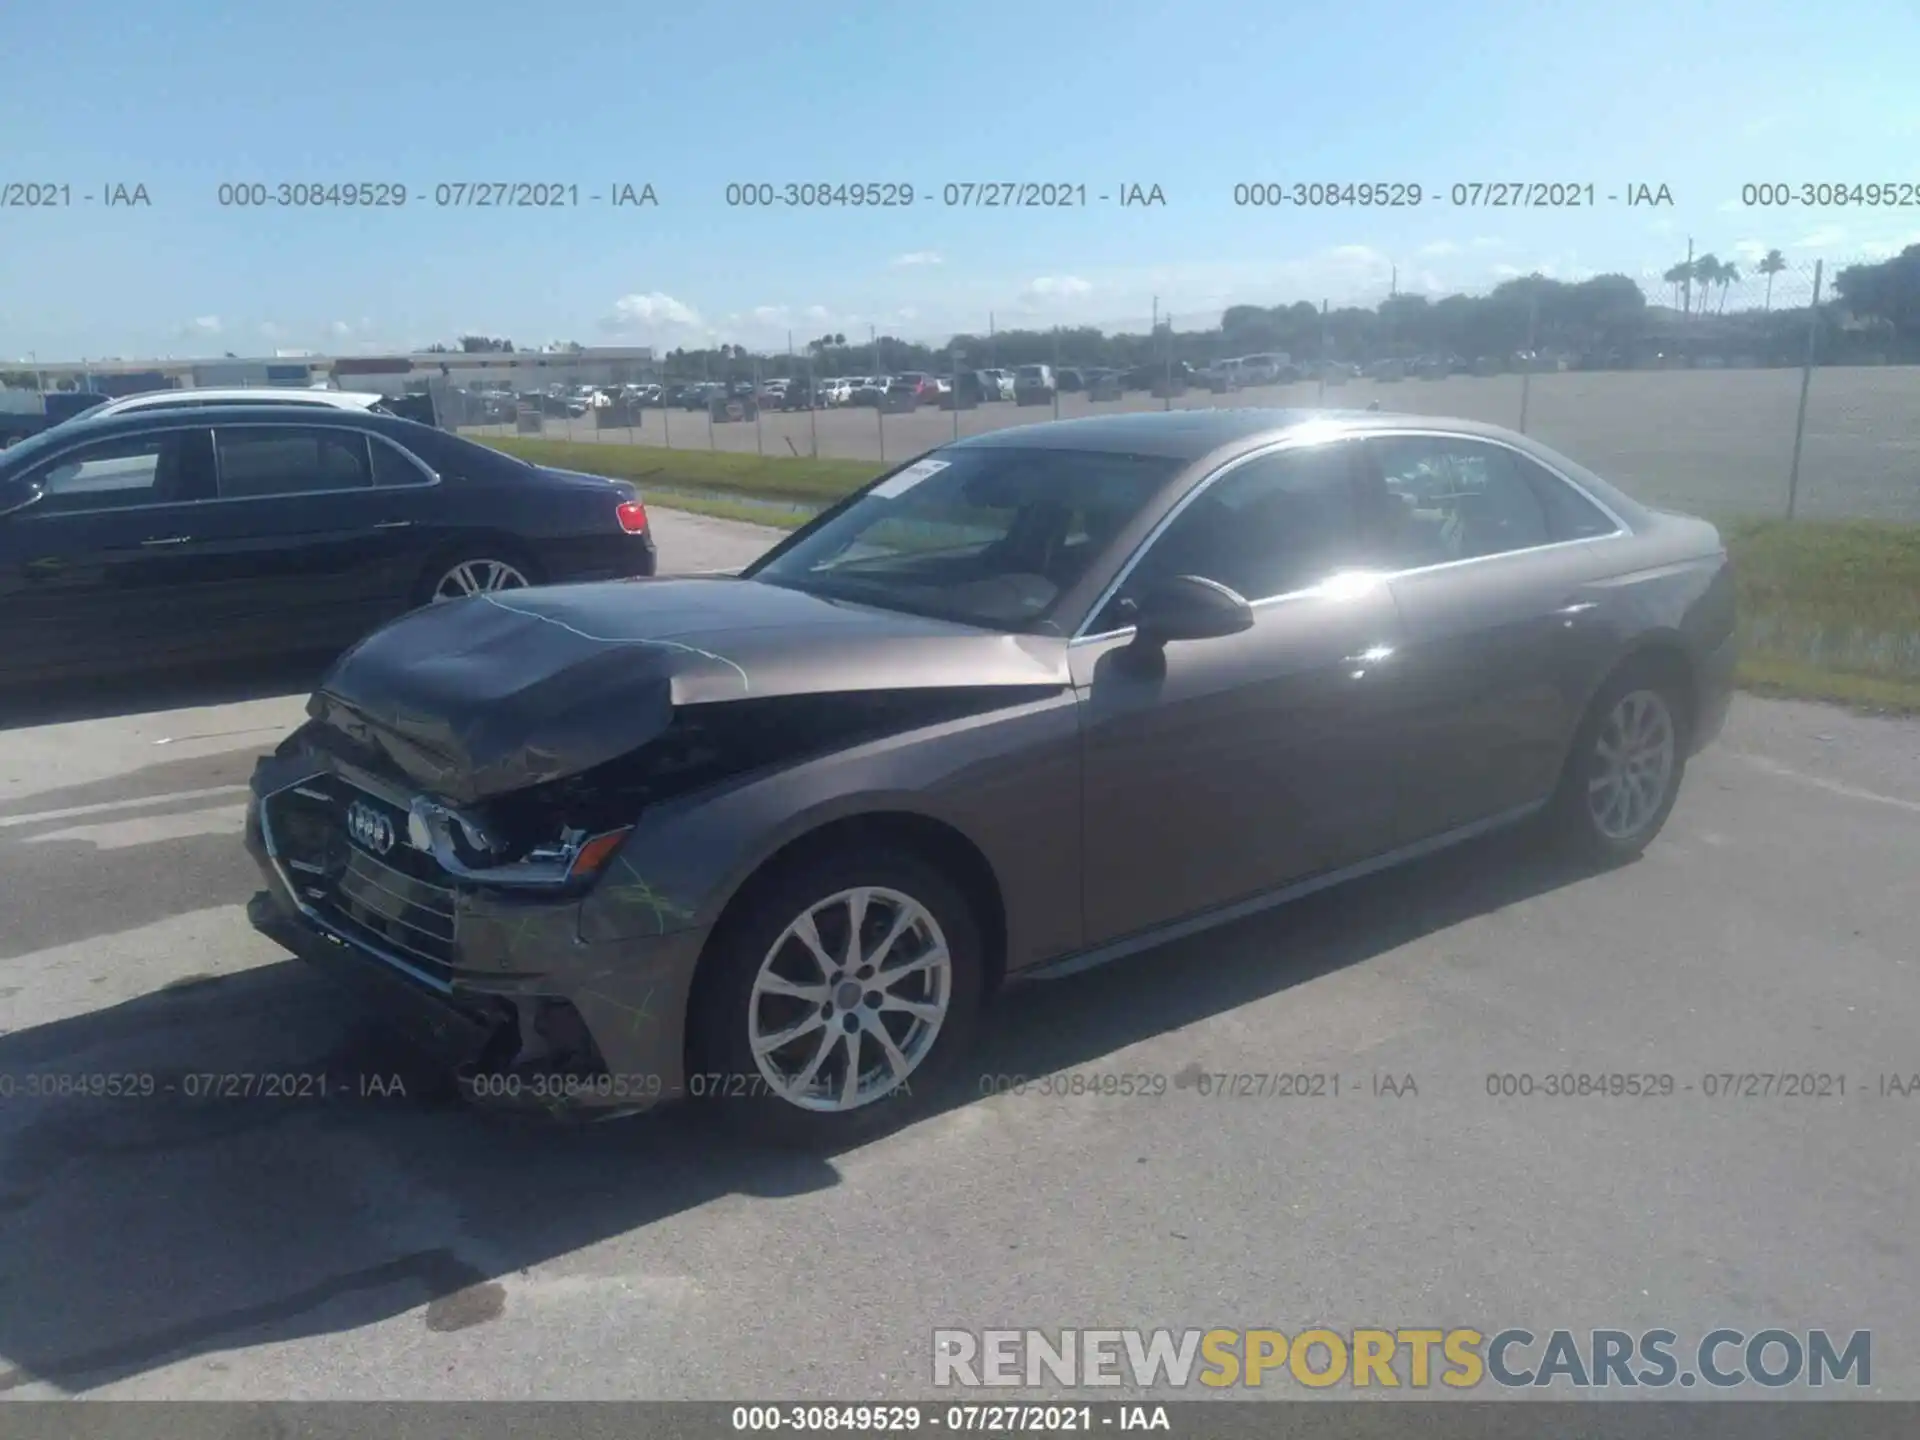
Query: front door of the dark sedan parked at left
point(97, 573)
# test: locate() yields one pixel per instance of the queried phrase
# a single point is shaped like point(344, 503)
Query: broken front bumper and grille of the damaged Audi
point(500, 988)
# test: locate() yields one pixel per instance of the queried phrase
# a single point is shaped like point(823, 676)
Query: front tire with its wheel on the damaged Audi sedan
point(757, 946)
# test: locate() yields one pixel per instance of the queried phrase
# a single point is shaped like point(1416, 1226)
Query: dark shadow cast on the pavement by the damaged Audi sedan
point(193, 1214)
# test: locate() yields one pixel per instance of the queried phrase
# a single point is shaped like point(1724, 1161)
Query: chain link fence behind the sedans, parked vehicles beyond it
point(1708, 391)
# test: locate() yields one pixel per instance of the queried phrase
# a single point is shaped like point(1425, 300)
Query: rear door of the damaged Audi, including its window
point(1506, 619)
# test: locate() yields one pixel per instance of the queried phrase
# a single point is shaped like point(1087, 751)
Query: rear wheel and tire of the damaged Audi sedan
point(1616, 792)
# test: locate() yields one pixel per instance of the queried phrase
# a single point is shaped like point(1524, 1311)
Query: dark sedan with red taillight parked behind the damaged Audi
point(156, 539)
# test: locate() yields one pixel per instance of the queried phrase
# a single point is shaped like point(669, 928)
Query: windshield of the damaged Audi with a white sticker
point(980, 537)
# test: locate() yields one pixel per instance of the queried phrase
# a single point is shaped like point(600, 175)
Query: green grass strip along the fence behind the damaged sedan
point(1831, 610)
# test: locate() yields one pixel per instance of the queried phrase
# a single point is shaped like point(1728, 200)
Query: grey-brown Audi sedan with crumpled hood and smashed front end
point(1032, 702)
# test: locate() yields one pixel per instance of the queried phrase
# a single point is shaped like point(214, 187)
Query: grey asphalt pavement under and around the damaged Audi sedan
point(383, 1243)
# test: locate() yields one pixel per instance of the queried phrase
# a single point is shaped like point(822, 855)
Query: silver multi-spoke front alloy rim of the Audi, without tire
point(850, 1001)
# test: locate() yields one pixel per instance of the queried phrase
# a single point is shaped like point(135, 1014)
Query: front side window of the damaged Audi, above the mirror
point(1270, 527)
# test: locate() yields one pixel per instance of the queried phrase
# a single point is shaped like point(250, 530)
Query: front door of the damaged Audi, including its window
point(1259, 759)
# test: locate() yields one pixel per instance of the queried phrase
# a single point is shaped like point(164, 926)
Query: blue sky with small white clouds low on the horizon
point(1193, 97)
